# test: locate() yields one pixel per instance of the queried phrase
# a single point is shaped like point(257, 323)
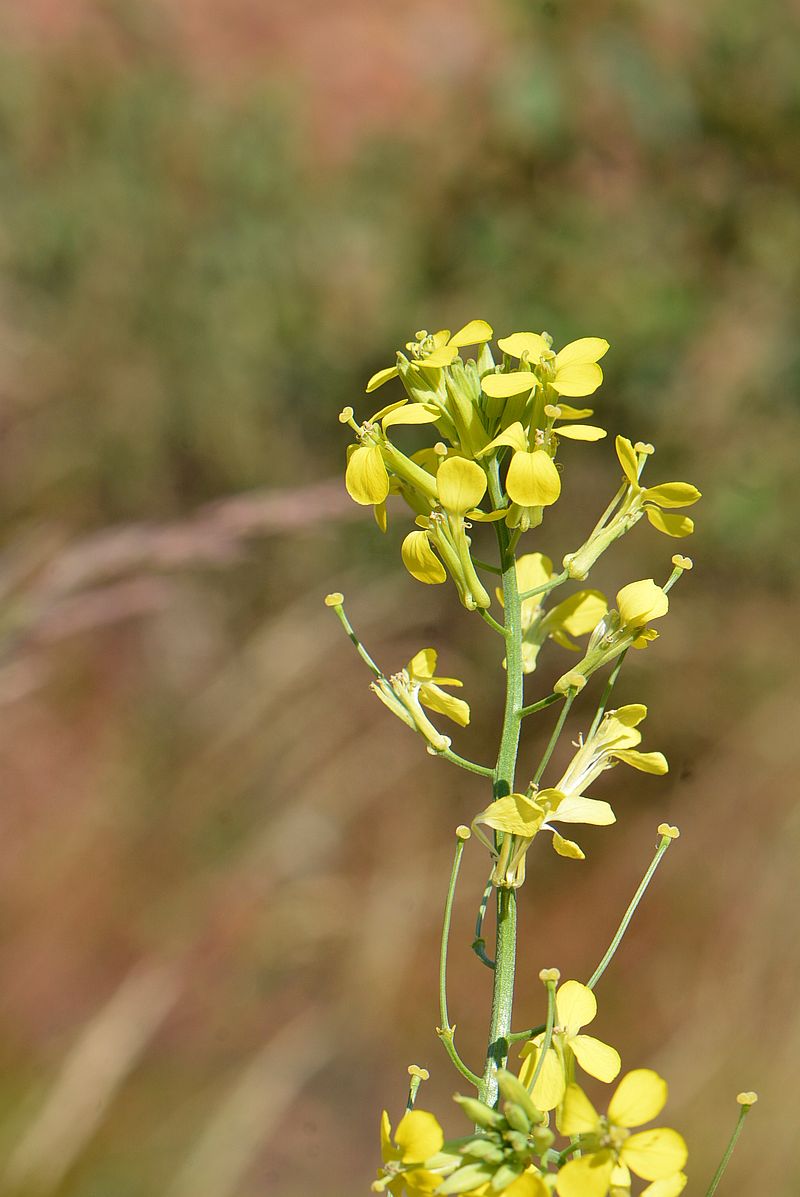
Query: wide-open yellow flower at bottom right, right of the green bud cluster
point(658, 1156)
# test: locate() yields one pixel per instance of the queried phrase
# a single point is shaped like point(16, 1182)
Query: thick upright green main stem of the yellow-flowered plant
point(500, 1028)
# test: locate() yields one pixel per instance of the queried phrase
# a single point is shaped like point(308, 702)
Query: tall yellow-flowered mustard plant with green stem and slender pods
point(500, 423)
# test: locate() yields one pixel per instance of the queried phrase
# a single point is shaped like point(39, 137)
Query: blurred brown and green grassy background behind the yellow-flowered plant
point(222, 862)
